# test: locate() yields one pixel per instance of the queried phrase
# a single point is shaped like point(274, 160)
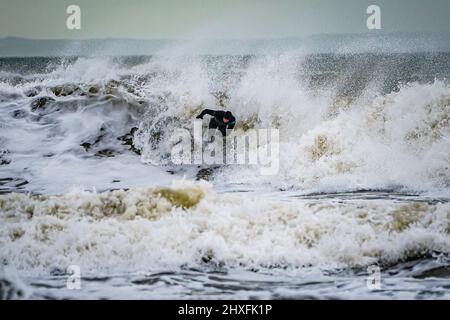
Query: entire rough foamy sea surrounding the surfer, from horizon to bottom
point(363, 179)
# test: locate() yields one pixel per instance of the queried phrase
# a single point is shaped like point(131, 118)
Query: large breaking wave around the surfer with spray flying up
point(346, 122)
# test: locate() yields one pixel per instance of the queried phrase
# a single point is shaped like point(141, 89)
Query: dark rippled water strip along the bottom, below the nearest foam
point(424, 279)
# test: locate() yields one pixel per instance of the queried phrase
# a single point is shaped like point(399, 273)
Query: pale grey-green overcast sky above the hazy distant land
point(241, 19)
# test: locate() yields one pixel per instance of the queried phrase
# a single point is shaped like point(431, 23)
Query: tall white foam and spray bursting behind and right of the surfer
point(329, 141)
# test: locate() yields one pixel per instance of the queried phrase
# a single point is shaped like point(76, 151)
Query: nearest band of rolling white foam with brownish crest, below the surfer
point(190, 225)
